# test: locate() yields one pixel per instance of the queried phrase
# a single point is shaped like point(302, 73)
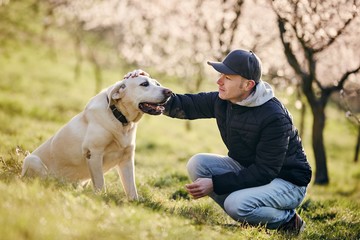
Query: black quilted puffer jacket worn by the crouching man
point(263, 139)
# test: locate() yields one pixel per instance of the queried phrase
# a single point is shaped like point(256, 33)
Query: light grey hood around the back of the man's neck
point(261, 95)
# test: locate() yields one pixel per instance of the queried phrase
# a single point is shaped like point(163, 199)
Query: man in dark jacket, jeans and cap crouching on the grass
point(265, 174)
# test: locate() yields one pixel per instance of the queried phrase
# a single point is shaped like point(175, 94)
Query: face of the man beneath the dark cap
point(234, 88)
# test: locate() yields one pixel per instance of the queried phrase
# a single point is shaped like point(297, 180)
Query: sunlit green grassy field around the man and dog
point(38, 94)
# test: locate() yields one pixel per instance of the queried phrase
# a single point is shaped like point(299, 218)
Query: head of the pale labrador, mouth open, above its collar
point(142, 92)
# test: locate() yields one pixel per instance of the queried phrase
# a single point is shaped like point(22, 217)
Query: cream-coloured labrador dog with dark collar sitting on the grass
point(102, 136)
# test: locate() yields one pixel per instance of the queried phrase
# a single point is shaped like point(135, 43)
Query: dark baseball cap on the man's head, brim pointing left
point(240, 62)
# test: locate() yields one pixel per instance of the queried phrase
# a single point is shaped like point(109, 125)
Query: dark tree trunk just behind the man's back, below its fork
point(321, 172)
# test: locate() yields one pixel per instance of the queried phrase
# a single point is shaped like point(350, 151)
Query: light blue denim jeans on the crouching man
point(272, 204)
